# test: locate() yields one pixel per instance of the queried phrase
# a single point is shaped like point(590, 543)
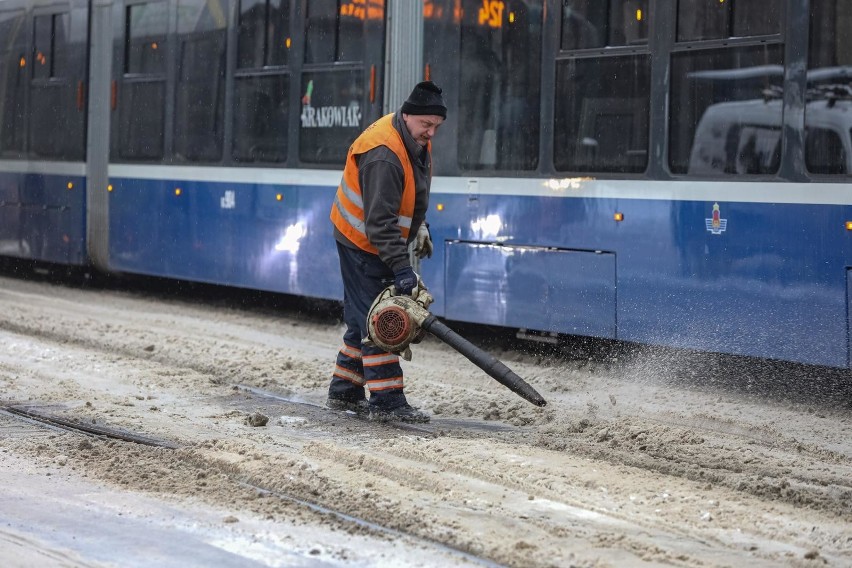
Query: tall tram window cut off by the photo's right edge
point(829, 107)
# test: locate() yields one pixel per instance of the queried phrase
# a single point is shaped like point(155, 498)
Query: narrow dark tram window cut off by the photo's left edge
point(13, 67)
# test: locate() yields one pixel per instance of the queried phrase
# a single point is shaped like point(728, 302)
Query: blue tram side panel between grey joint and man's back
point(266, 236)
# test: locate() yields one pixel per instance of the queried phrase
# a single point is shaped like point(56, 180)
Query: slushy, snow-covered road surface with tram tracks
point(628, 464)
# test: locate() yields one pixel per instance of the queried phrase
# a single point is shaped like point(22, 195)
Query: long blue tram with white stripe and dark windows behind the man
point(669, 172)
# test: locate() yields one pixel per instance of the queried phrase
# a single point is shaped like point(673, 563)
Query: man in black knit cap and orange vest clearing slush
point(380, 208)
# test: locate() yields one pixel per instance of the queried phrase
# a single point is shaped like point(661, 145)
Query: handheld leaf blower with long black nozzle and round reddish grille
point(395, 322)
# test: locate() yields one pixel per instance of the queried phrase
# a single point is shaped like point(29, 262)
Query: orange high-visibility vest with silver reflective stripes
point(347, 212)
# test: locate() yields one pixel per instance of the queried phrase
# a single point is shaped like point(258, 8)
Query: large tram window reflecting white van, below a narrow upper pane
point(716, 92)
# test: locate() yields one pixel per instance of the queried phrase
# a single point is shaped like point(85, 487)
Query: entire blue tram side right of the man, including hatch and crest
point(715, 274)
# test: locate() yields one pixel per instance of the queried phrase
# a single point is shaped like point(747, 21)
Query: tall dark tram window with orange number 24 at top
point(498, 115)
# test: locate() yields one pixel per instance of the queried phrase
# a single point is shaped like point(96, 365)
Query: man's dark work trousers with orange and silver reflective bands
point(357, 365)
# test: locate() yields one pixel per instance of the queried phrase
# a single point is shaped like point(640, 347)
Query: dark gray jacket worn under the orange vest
point(381, 177)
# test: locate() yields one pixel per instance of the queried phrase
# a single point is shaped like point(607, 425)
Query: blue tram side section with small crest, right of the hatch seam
point(767, 281)
